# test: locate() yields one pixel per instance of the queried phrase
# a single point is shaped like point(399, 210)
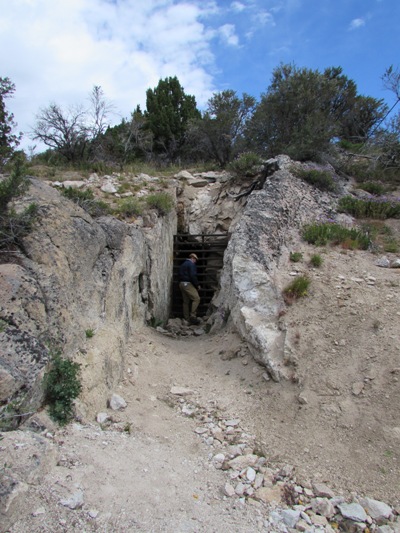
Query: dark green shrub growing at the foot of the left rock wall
point(61, 386)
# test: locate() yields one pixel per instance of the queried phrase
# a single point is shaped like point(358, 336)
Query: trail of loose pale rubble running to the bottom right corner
point(290, 503)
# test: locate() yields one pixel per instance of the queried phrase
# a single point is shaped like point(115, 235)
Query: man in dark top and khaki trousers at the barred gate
point(189, 286)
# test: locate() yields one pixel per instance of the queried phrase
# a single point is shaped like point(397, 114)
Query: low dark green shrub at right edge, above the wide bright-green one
point(378, 208)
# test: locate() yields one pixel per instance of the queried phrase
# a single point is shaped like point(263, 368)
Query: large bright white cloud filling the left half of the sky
point(61, 49)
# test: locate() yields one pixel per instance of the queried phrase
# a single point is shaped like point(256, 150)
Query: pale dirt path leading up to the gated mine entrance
point(149, 470)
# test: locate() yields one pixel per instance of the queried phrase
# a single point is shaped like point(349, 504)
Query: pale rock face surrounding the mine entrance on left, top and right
point(78, 275)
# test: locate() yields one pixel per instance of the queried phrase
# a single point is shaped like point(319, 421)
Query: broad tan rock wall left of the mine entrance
point(77, 275)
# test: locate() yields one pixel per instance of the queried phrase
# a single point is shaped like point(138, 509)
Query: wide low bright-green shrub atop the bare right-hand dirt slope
point(322, 233)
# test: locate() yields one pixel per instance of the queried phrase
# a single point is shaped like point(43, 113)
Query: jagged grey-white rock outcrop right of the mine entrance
point(261, 235)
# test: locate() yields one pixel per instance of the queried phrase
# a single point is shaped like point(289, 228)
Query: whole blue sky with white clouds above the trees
point(57, 50)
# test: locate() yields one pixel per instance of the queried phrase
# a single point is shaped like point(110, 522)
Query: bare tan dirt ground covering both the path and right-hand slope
point(336, 421)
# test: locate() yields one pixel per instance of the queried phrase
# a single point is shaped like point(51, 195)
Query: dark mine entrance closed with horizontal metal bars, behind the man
point(210, 249)
